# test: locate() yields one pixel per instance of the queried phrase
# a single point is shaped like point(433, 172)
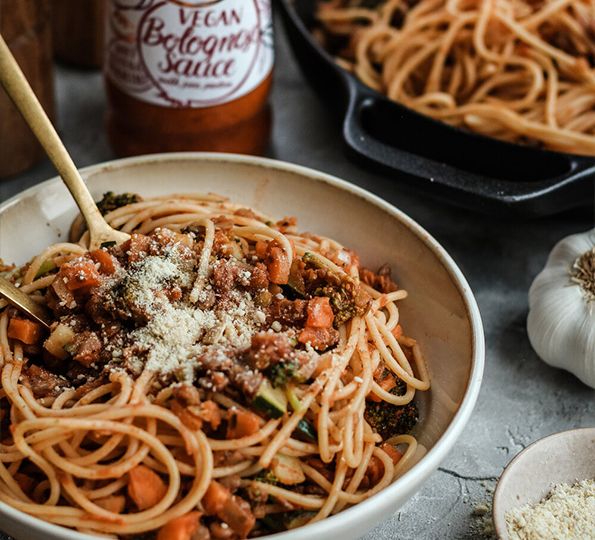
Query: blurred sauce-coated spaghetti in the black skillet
point(518, 70)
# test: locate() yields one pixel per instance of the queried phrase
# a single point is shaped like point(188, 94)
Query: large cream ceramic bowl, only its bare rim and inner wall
point(440, 311)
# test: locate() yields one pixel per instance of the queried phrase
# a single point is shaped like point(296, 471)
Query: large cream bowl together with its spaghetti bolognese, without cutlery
point(273, 352)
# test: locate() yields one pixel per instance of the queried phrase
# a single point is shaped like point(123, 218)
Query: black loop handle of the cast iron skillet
point(464, 167)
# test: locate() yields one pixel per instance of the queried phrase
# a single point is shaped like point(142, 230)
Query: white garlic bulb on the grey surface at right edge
point(561, 322)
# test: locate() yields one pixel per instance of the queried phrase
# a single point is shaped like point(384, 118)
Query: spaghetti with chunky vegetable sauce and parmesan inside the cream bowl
point(216, 376)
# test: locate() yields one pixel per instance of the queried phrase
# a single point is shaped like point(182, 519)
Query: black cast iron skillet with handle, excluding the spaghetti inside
point(443, 161)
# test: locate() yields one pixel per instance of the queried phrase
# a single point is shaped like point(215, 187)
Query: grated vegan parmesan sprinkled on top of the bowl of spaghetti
point(175, 334)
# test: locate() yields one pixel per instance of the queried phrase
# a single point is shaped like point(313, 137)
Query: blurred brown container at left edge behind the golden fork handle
point(25, 26)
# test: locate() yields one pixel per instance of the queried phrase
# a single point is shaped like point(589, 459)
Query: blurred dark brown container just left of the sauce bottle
point(78, 31)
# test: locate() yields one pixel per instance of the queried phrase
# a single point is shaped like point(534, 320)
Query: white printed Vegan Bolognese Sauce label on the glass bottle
point(189, 53)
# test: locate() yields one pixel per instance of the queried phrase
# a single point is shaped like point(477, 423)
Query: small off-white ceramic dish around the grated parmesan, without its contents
point(565, 457)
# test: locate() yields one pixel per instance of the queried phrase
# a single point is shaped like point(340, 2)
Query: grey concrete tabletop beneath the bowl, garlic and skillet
point(521, 400)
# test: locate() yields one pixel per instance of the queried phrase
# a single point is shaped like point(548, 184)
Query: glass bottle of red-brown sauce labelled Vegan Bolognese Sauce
point(189, 75)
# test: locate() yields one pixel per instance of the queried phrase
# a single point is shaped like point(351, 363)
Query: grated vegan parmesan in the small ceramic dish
point(566, 513)
